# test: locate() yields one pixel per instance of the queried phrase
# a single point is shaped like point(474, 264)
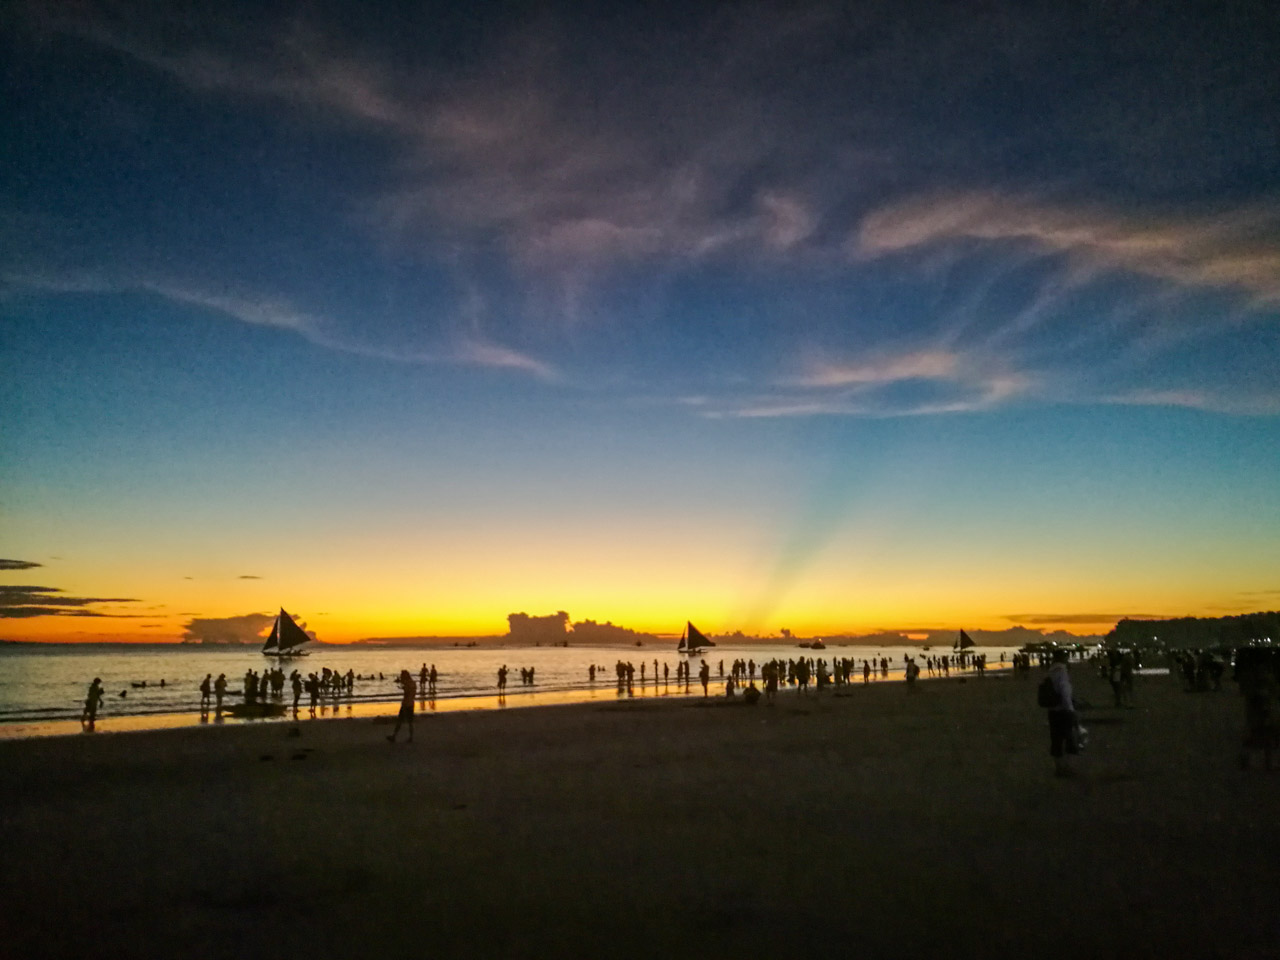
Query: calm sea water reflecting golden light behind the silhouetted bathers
point(49, 683)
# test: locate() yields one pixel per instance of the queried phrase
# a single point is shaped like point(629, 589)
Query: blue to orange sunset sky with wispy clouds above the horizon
point(830, 318)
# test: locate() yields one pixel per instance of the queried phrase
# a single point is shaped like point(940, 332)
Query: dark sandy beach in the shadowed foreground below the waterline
point(874, 825)
